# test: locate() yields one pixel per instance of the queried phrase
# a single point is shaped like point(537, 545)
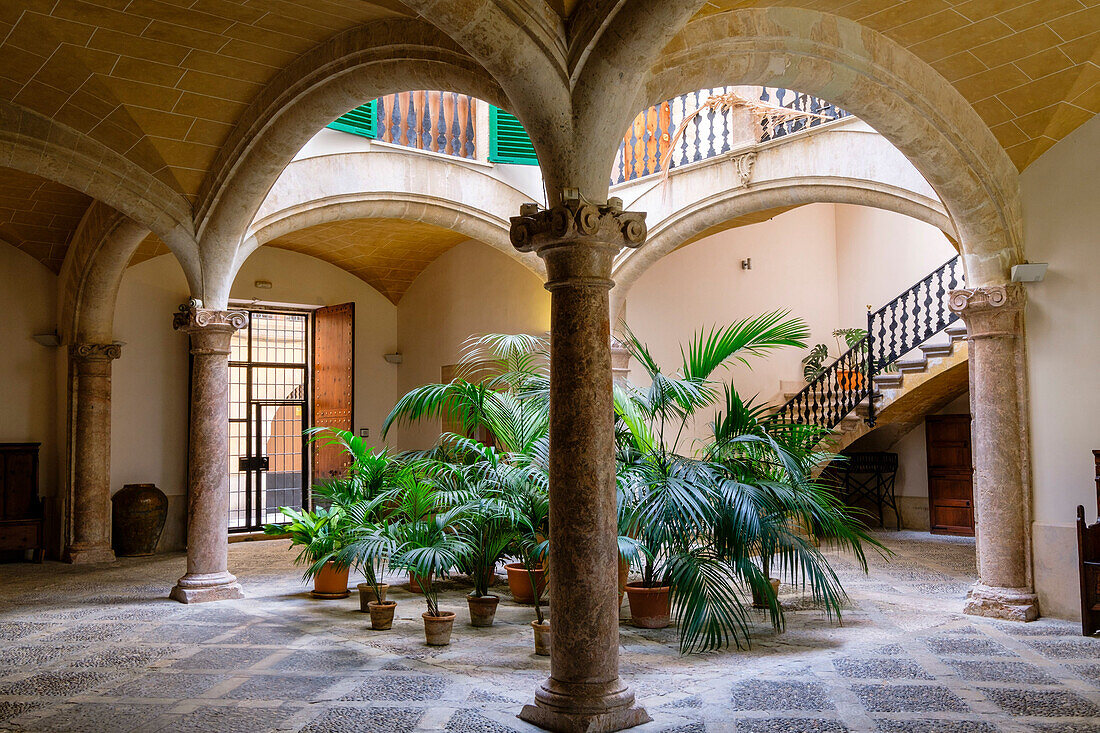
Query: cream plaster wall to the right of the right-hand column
point(1060, 194)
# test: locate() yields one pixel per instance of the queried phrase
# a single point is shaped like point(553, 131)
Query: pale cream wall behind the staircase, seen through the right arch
point(823, 262)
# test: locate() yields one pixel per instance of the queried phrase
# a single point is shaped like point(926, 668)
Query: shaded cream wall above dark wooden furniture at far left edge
point(29, 391)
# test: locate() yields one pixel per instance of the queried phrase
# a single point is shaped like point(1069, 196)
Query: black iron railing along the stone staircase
point(893, 332)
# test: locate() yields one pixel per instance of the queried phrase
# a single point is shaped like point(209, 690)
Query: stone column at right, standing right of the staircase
point(994, 318)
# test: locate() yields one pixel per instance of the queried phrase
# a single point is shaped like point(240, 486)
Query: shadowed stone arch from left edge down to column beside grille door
point(36, 145)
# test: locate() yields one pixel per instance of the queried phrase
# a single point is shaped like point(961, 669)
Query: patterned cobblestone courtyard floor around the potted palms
point(103, 650)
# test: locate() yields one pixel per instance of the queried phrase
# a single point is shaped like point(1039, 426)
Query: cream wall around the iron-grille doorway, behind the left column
point(150, 381)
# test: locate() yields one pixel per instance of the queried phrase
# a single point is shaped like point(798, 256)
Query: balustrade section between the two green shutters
point(437, 122)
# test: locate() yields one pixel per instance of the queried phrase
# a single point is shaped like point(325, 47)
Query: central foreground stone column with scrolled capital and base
point(579, 243)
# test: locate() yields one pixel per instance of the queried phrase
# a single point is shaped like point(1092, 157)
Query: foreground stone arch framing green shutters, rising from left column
point(353, 68)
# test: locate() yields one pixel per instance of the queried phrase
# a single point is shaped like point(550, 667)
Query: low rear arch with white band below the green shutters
point(390, 185)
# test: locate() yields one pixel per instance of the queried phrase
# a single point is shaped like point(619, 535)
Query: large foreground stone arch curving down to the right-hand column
point(872, 76)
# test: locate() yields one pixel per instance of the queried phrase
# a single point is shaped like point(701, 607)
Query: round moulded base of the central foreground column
point(571, 708)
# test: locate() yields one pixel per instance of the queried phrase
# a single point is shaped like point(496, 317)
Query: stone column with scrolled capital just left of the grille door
point(208, 577)
